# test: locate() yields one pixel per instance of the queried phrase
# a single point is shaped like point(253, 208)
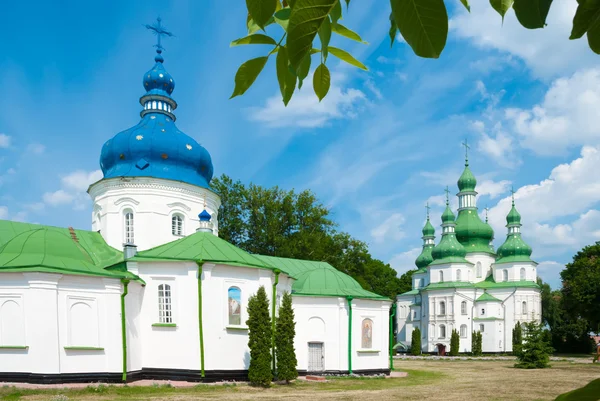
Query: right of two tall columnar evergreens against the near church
point(284, 341)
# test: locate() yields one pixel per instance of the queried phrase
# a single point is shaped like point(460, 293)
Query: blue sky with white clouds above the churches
point(375, 150)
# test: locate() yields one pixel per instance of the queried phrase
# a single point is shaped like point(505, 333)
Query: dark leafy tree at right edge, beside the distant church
point(580, 286)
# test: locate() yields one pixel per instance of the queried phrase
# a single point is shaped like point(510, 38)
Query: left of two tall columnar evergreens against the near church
point(259, 339)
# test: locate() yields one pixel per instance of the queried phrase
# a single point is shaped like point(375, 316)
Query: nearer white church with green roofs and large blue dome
point(152, 291)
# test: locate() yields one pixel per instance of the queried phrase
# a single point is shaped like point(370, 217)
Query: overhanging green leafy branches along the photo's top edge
point(423, 24)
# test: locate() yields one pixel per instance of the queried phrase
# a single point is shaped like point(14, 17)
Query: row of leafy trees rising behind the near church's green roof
point(276, 222)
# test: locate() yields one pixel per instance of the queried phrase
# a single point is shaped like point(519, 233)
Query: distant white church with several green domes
point(463, 284)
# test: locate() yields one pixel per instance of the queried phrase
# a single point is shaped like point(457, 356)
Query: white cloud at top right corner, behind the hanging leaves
point(548, 52)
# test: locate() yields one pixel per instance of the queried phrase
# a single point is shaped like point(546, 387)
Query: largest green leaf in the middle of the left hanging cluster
point(305, 20)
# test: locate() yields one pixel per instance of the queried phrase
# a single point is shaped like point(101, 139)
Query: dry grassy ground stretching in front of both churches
point(427, 380)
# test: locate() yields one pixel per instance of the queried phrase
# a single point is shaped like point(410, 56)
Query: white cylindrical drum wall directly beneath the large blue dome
point(153, 203)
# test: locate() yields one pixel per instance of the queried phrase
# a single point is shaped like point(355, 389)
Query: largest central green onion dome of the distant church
point(472, 233)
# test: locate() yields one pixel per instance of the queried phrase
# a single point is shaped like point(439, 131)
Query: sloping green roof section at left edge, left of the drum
point(36, 248)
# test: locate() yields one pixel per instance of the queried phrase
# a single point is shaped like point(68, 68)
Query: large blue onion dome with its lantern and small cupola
point(155, 147)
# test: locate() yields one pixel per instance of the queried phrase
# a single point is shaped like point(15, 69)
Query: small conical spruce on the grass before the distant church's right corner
point(535, 353)
